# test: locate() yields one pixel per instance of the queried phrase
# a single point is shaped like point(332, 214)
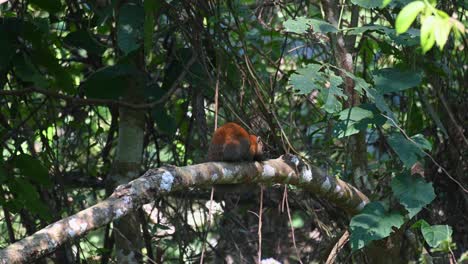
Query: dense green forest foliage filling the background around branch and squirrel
point(373, 92)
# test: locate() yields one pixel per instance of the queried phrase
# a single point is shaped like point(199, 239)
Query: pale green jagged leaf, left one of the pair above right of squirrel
point(305, 80)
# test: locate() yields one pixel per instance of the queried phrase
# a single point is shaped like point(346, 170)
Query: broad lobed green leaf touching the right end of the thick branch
point(373, 223)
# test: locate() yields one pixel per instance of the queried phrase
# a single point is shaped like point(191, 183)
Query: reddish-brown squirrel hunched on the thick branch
point(231, 142)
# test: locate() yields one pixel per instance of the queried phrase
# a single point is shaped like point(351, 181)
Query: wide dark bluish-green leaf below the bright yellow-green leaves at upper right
point(391, 80)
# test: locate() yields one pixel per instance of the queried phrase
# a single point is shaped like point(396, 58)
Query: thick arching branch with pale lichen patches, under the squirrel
point(127, 198)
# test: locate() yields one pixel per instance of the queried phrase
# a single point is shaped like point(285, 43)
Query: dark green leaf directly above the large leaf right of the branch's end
point(407, 151)
